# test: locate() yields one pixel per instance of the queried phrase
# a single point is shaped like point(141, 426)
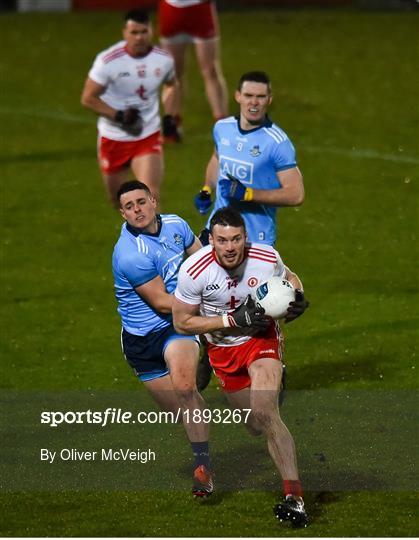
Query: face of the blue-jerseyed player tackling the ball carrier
point(138, 208)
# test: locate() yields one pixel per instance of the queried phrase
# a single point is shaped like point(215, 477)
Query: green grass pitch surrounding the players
point(346, 86)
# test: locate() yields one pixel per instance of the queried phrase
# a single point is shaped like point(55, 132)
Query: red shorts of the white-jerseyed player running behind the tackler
point(115, 155)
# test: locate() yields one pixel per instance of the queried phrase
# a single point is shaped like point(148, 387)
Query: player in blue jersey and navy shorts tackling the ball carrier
point(145, 264)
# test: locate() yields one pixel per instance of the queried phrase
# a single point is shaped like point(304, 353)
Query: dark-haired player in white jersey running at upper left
point(123, 88)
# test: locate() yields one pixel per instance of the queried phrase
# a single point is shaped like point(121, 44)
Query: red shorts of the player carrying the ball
point(231, 364)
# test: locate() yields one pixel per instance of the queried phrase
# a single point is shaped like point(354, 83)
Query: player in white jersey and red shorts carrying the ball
point(213, 298)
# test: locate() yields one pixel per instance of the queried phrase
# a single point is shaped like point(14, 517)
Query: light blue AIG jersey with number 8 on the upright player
point(253, 157)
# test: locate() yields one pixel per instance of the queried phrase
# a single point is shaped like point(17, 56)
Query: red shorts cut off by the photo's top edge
point(198, 21)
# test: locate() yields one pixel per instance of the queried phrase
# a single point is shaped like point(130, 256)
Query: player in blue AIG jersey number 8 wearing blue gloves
point(253, 169)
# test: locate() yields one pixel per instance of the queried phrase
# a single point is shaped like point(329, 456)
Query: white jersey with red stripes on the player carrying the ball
point(203, 281)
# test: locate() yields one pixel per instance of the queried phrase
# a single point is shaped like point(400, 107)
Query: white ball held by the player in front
point(275, 296)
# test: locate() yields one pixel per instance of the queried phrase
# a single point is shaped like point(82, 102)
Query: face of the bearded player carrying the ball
point(228, 243)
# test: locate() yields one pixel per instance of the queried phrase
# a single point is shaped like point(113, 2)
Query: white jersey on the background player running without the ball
point(131, 82)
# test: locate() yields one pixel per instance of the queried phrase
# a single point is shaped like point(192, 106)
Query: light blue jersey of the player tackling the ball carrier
point(140, 257)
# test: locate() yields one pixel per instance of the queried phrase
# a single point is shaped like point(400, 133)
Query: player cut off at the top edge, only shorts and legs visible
point(182, 22)
